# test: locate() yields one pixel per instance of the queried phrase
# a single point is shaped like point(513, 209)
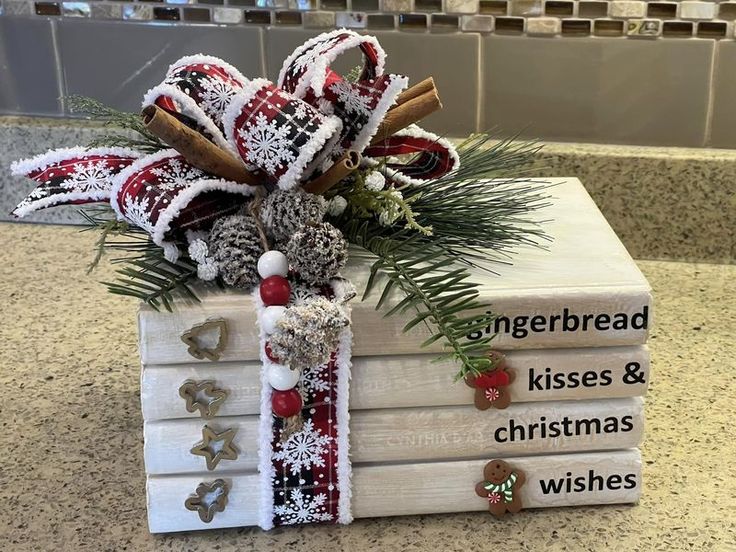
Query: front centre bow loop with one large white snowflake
point(282, 137)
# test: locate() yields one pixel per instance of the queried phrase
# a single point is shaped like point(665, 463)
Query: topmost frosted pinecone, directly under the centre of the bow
point(284, 212)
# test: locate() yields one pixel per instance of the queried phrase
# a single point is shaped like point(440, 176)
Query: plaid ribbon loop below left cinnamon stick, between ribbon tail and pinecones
point(166, 196)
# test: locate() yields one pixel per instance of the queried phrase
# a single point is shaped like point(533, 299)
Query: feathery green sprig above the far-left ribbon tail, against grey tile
point(134, 133)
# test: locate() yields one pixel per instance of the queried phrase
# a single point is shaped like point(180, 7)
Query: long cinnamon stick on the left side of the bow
point(195, 148)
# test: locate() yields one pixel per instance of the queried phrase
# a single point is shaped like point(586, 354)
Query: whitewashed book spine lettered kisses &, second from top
point(417, 380)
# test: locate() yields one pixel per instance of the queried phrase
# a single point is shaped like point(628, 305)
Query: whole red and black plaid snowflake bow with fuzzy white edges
point(285, 133)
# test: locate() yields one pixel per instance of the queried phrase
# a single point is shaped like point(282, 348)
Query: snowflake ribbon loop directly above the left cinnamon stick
point(197, 90)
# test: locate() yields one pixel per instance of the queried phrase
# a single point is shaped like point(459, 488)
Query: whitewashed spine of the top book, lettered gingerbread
point(534, 319)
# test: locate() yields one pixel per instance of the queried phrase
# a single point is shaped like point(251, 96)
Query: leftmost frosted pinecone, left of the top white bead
point(235, 246)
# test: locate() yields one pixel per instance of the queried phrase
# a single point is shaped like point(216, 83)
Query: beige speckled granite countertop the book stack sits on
point(72, 470)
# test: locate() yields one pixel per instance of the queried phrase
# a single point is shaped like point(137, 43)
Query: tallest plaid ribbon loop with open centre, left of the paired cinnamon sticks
point(361, 105)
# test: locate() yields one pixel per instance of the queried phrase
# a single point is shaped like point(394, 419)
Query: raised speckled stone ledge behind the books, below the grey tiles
point(664, 203)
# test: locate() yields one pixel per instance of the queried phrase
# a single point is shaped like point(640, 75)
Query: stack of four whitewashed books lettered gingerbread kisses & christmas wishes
point(573, 324)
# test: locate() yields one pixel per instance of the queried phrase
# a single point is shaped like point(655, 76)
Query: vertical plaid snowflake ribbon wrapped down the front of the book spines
point(305, 478)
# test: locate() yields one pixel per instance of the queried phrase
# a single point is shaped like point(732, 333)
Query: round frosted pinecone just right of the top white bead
point(317, 252)
